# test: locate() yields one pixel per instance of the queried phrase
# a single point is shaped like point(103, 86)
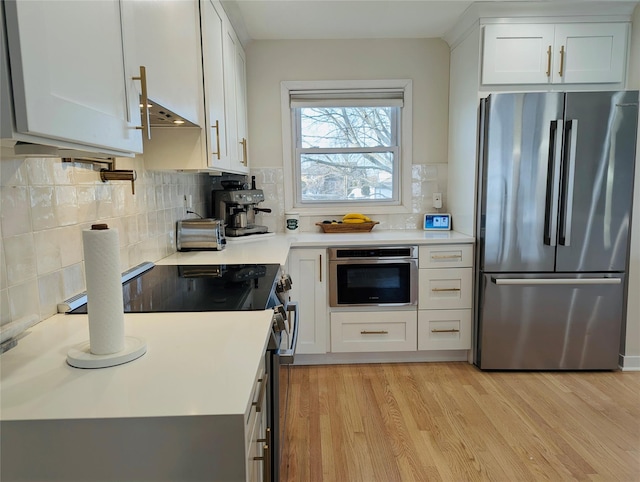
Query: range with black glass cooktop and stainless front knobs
point(150, 288)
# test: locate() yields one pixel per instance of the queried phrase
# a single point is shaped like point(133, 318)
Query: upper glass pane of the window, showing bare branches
point(337, 127)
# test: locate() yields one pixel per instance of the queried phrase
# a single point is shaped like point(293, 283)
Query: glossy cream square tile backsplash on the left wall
point(46, 203)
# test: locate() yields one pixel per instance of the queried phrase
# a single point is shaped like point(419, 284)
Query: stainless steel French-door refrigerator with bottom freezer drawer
point(555, 190)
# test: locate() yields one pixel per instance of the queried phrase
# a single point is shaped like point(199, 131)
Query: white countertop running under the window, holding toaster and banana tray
point(275, 248)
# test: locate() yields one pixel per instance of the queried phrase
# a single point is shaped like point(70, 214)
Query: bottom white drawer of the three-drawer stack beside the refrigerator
point(444, 330)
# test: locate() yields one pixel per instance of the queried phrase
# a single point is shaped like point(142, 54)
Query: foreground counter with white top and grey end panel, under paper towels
point(182, 411)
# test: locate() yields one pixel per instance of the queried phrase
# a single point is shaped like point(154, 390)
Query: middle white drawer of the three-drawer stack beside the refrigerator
point(444, 289)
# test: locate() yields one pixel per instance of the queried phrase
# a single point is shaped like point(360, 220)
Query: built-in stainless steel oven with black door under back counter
point(374, 276)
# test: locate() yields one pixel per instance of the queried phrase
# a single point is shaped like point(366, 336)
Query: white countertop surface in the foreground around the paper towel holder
point(196, 364)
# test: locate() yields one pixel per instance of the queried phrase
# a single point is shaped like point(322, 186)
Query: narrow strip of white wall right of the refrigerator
point(632, 337)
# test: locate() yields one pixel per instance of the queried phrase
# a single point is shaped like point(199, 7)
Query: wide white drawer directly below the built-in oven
point(374, 331)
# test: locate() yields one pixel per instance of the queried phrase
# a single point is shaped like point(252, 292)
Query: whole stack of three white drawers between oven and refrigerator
point(445, 297)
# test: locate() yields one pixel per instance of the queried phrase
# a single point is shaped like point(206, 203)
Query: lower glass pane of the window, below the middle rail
point(347, 177)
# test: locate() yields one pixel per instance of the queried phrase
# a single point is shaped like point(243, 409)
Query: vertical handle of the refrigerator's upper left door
point(553, 184)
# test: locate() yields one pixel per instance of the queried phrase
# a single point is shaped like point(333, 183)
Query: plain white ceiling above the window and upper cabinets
point(352, 19)
